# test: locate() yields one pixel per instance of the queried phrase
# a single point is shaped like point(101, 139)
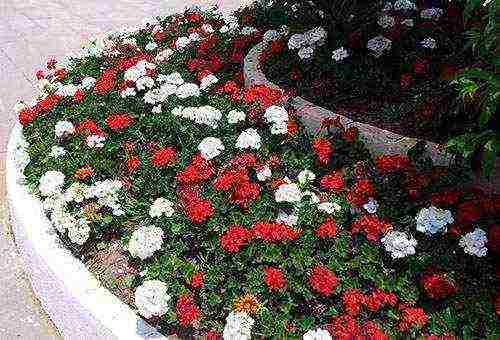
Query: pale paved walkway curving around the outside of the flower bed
point(31, 31)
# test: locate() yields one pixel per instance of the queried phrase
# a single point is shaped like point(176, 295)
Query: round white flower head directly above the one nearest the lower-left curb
point(145, 241)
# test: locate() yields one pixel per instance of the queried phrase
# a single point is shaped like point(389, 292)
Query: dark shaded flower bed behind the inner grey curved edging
point(388, 66)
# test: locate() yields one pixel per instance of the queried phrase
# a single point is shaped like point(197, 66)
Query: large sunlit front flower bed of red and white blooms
point(236, 220)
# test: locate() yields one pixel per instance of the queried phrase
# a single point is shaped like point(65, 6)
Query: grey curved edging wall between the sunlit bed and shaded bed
point(378, 141)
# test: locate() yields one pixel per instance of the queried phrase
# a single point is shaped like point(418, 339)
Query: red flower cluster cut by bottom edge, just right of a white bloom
point(345, 327)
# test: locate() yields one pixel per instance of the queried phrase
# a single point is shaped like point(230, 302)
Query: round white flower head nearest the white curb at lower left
point(151, 298)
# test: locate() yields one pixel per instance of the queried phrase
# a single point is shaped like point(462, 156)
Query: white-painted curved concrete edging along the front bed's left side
point(75, 301)
